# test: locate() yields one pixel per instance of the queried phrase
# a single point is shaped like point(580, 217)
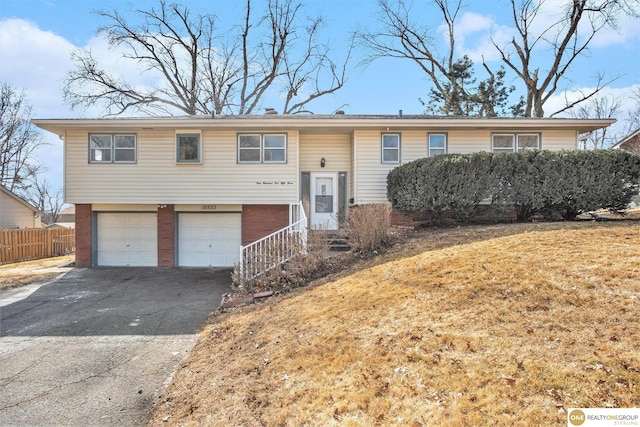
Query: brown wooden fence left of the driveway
point(35, 243)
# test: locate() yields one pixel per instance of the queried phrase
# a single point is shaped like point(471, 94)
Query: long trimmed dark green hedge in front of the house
point(532, 182)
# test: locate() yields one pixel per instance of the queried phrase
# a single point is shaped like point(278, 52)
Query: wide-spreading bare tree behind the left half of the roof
point(205, 69)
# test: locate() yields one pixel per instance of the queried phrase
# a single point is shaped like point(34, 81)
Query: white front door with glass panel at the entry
point(324, 200)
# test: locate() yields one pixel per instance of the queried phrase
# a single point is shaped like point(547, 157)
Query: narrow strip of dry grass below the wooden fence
point(23, 273)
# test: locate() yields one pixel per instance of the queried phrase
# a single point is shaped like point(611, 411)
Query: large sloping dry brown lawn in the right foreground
point(484, 325)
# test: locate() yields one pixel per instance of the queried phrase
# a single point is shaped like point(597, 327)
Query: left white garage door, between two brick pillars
point(127, 239)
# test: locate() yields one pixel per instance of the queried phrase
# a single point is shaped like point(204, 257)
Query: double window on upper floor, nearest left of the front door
point(262, 148)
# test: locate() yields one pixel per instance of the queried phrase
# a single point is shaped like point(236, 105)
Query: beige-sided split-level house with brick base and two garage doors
point(189, 191)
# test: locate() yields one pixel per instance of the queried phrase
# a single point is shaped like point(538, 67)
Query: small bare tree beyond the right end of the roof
point(598, 107)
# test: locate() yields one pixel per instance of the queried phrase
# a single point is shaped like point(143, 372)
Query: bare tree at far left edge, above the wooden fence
point(18, 140)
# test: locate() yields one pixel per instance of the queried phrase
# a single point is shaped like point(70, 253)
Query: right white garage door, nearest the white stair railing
point(208, 240)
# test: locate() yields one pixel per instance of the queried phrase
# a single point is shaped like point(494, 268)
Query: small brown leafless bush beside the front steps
point(367, 226)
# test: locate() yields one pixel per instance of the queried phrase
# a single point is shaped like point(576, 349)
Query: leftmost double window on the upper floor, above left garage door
point(112, 148)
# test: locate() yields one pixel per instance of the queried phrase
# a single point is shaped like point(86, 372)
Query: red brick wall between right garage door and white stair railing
point(261, 220)
